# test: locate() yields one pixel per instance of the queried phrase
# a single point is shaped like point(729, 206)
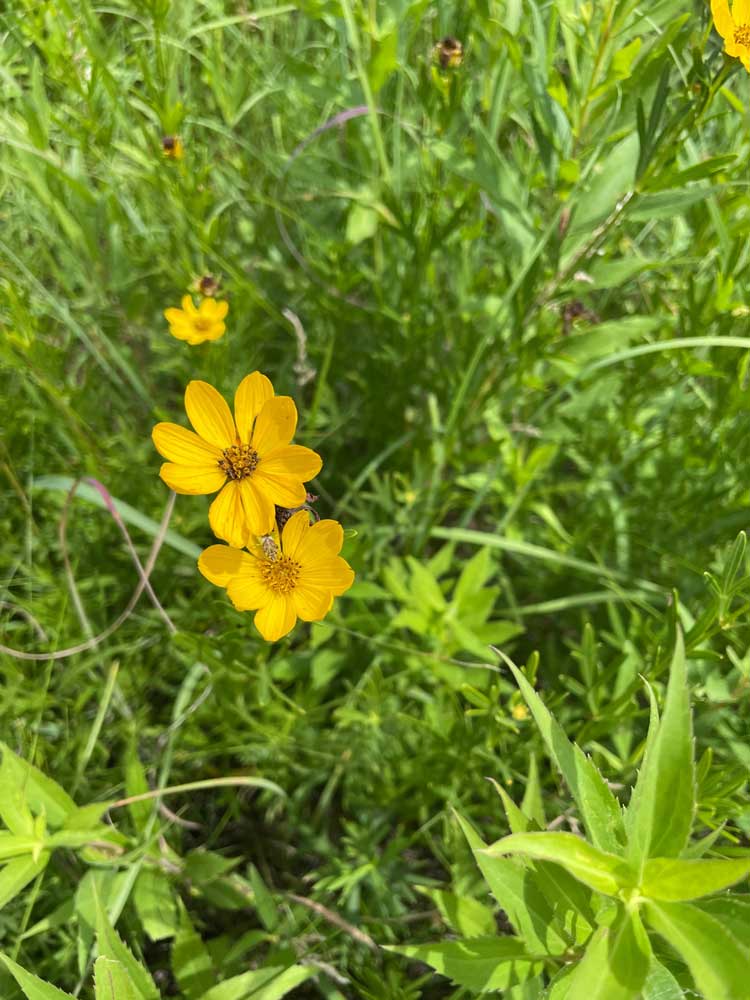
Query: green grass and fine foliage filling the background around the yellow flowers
point(521, 286)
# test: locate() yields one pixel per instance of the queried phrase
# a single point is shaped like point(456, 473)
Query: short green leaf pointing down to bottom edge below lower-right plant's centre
point(598, 976)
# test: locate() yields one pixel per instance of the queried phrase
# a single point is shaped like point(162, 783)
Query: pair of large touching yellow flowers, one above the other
point(275, 563)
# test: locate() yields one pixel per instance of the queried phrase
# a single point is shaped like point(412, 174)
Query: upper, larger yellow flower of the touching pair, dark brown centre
point(249, 458)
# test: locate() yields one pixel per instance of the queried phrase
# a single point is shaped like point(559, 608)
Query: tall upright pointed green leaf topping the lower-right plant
point(660, 815)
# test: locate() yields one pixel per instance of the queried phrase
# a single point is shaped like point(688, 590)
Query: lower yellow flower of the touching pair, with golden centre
point(282, 580)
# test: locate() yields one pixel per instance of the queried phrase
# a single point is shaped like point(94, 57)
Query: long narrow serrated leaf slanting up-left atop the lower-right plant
point(597, 805)
